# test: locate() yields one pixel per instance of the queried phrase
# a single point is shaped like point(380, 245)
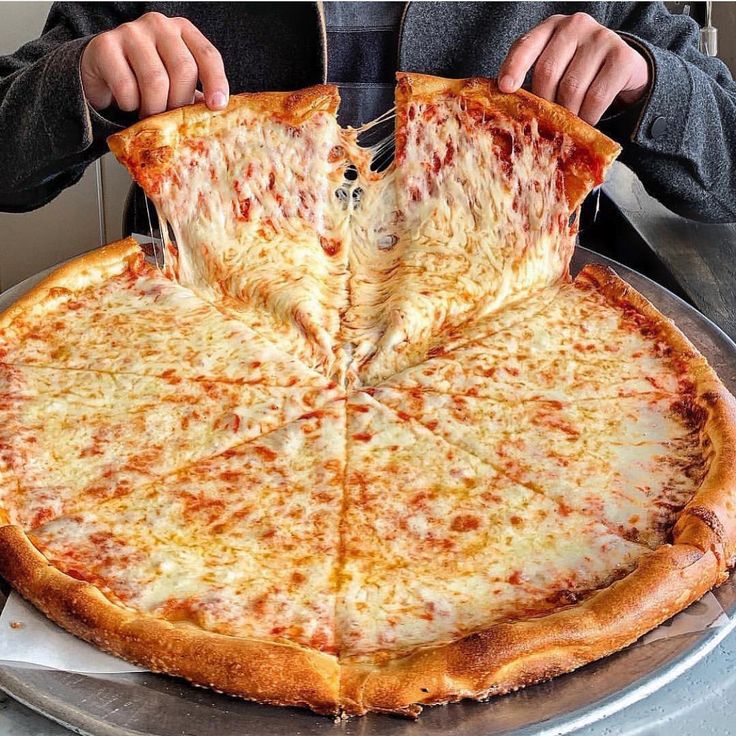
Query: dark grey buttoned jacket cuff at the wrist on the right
point(662, 122)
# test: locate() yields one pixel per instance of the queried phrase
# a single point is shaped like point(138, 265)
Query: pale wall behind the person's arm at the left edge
point(70, 224)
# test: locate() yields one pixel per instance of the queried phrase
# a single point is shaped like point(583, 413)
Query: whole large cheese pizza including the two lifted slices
point(362, 443)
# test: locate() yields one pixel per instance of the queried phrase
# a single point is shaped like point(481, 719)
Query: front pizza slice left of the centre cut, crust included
point(234, 557)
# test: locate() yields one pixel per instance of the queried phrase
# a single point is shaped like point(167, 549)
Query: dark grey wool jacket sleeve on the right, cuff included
point(682, 139)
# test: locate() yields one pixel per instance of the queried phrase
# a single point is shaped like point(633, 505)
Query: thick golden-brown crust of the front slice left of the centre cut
point(268, 672)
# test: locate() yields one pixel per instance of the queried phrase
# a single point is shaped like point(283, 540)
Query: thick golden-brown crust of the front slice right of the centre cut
point(506, 657)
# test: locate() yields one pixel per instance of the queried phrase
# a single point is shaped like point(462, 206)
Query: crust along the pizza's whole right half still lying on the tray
point(506, 657)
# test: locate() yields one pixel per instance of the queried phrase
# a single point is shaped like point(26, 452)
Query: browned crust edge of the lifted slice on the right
point(594, 152)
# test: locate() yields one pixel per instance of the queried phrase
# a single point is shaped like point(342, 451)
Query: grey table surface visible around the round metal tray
point(702, 259)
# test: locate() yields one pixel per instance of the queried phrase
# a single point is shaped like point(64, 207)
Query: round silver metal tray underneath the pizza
point(123, 705)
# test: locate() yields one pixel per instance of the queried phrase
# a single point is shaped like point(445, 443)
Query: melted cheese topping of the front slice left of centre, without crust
point(242, 544)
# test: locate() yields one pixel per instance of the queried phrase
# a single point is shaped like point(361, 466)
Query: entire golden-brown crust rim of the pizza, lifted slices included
point(499, 659)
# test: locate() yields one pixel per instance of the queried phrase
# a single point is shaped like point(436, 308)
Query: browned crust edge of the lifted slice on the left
point(146, 147)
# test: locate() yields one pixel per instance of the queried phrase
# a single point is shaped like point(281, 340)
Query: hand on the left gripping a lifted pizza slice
point(152, 64)
